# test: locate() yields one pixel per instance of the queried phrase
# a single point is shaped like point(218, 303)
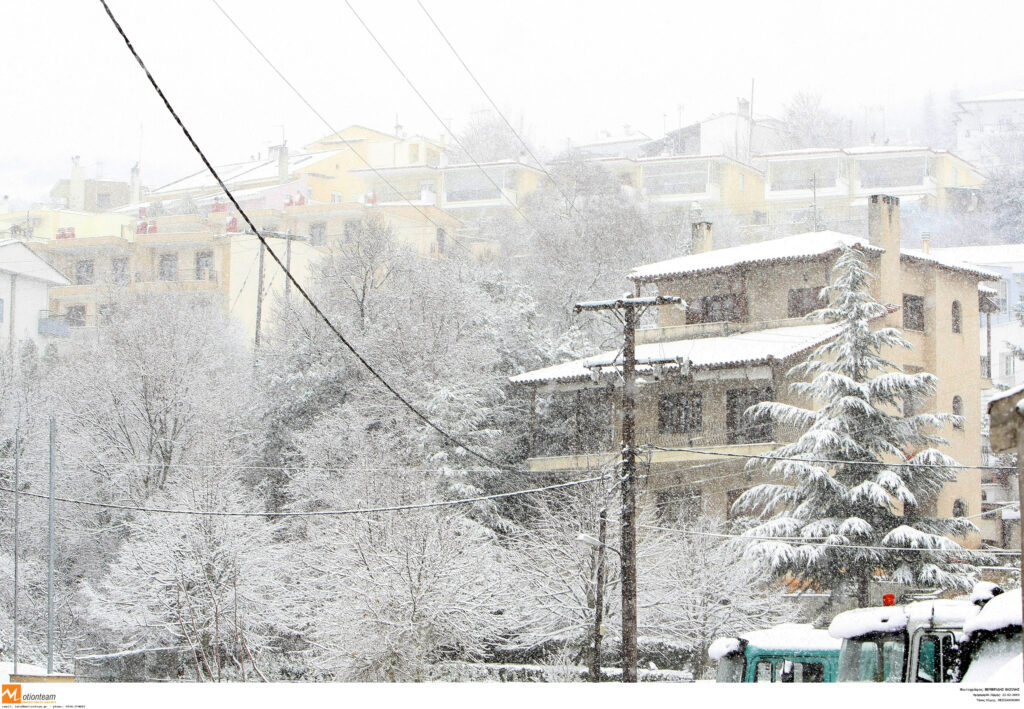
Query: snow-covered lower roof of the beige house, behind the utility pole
point(730, 351)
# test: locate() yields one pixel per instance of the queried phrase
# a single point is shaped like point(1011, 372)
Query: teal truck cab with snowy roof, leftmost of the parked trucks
point(790, 653)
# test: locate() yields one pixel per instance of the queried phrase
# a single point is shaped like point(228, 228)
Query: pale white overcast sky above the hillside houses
point(570, 70)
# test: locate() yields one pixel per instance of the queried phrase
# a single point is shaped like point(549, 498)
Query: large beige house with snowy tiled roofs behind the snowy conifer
point(743, 330)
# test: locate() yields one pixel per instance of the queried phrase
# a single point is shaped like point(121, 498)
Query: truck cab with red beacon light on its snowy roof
point(915, 643)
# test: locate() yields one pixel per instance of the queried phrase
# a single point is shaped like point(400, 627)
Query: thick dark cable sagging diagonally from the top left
point(298, 287)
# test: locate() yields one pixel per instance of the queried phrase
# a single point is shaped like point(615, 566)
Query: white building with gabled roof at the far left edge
point(25, 283)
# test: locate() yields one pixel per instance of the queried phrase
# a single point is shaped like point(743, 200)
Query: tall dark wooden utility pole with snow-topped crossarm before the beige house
point(631, 308)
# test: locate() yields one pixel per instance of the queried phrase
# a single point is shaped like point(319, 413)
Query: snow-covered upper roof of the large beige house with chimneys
point(799, 246)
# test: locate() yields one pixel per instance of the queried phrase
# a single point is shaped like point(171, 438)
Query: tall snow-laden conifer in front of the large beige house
point(862, 479)
